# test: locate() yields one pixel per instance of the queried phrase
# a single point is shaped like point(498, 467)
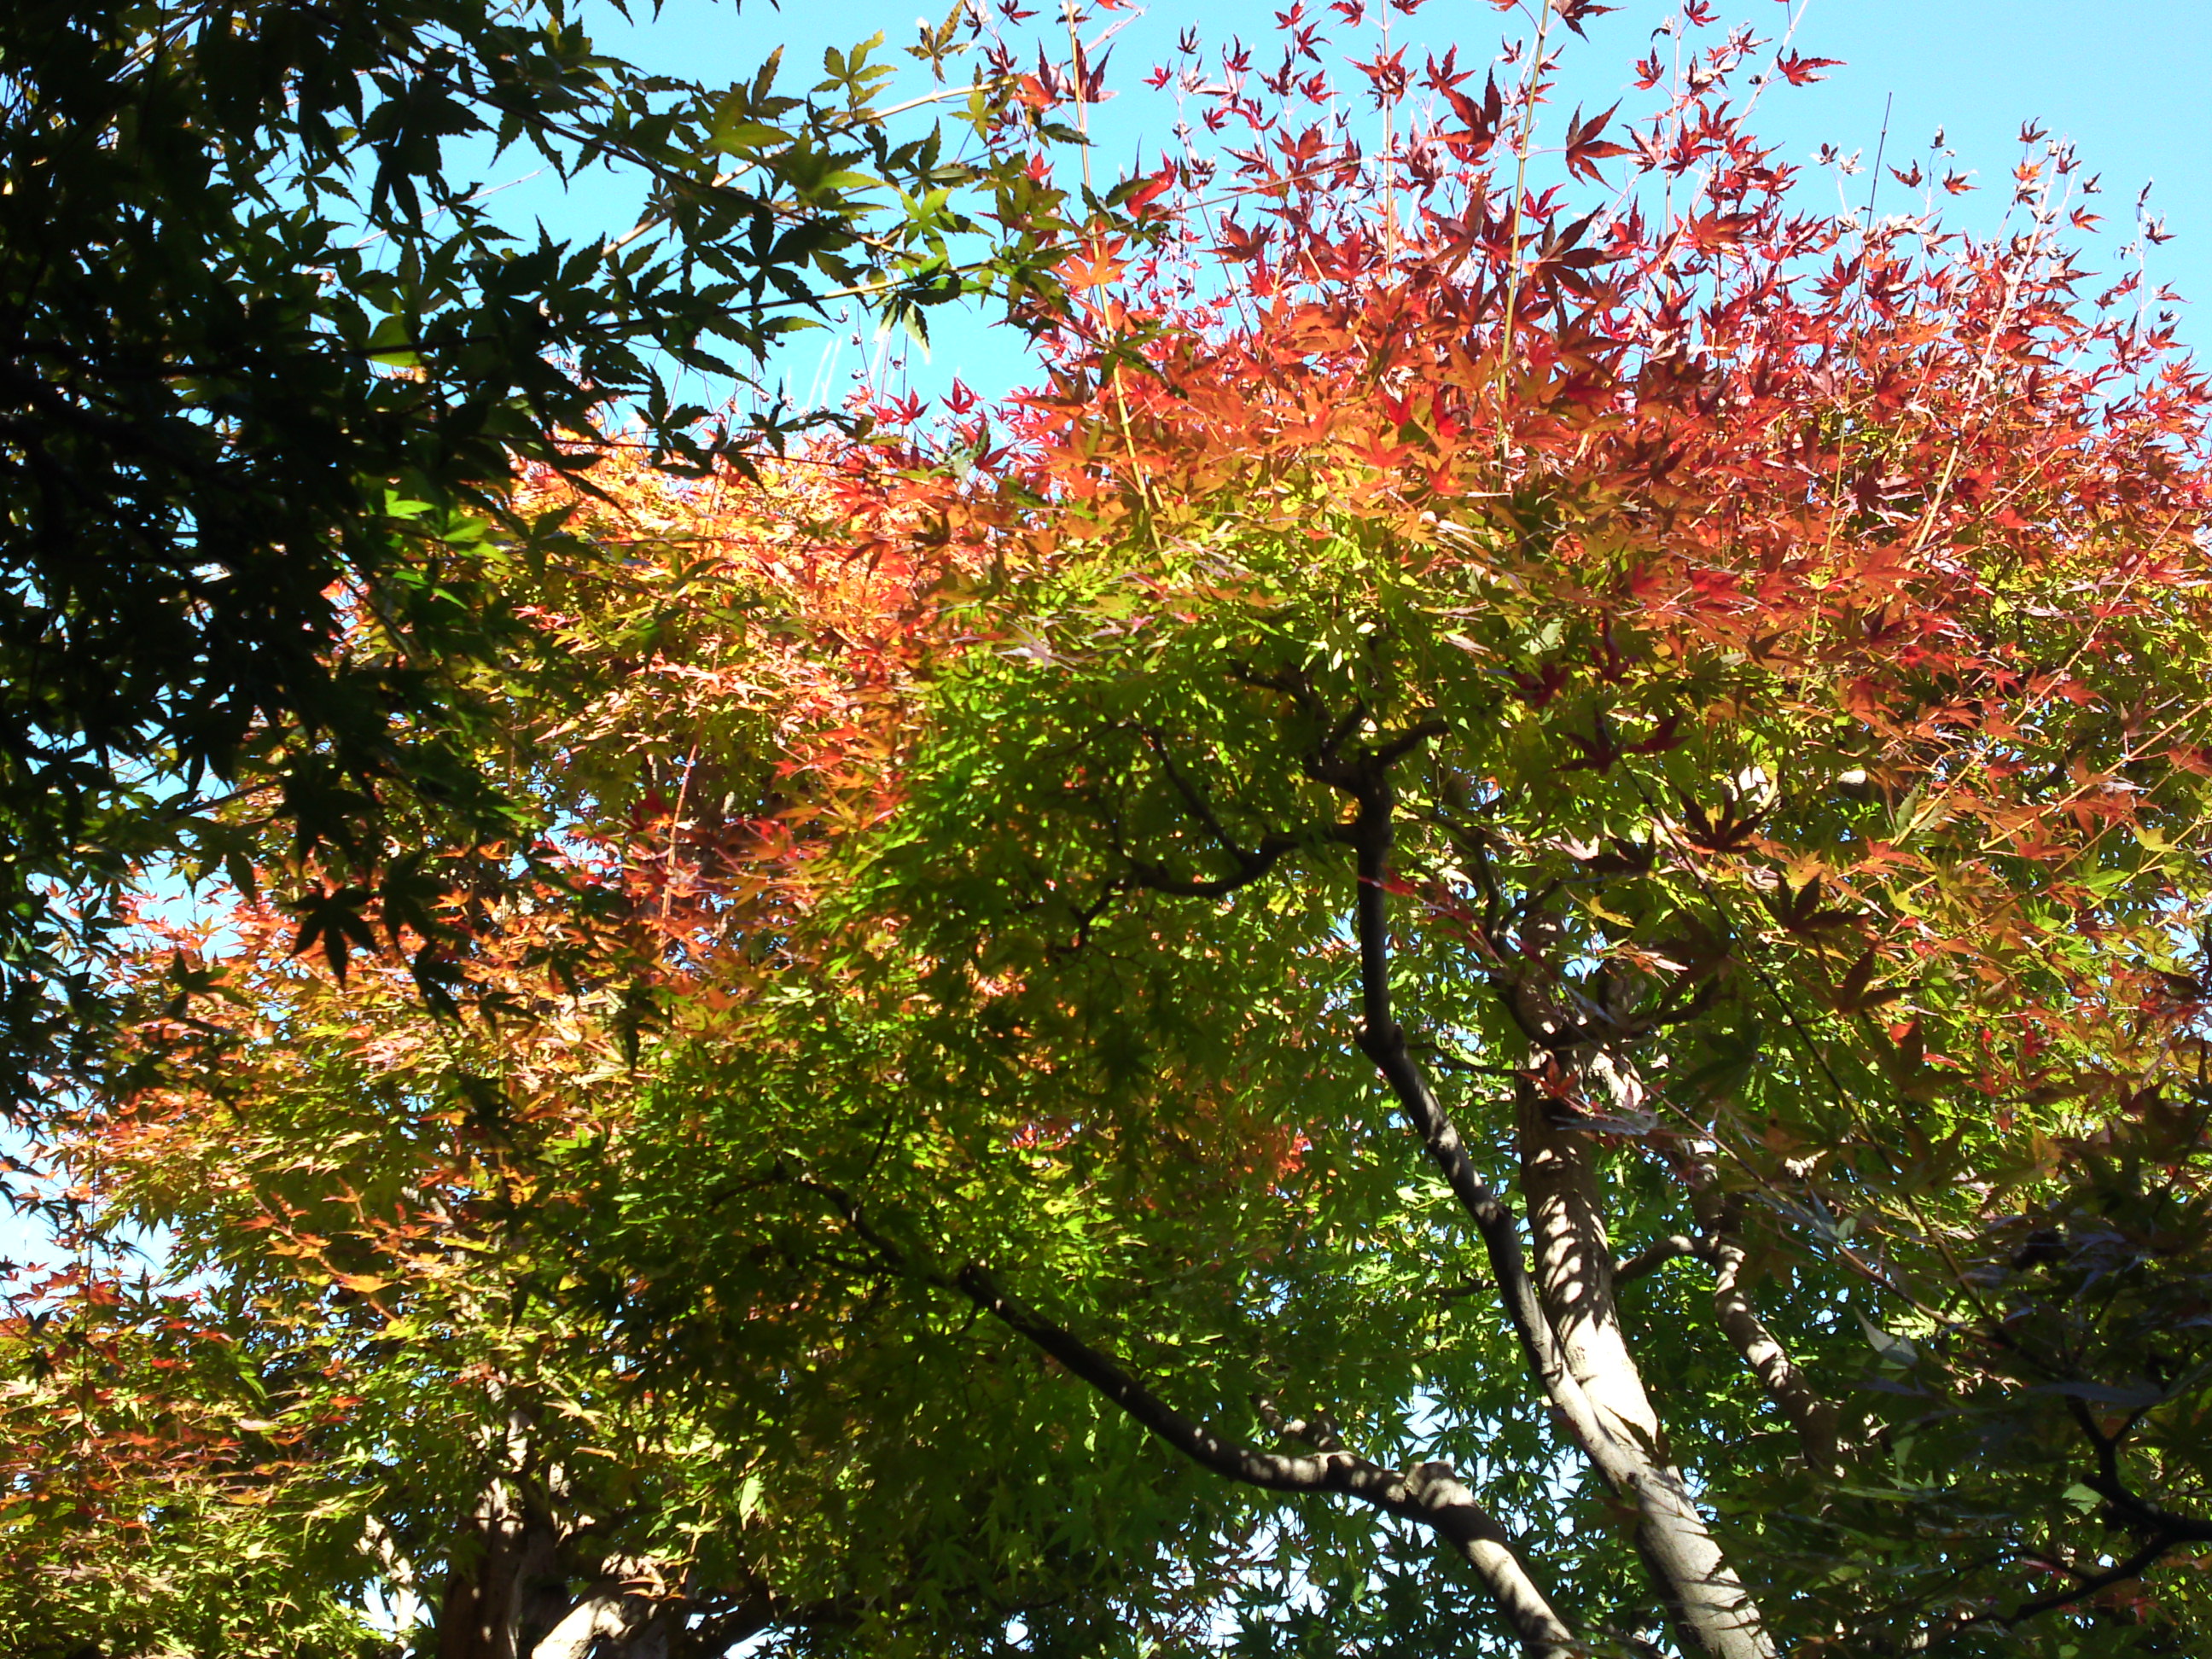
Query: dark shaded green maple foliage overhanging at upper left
point(271, 366)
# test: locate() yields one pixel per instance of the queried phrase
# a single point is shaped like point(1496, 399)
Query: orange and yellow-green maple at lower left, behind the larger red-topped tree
point(384, 1353)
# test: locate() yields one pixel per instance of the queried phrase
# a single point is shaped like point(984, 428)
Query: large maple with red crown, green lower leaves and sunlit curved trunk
point(1702, 700)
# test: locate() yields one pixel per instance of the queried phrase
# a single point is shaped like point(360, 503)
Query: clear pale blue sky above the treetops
point(2127, 81)
